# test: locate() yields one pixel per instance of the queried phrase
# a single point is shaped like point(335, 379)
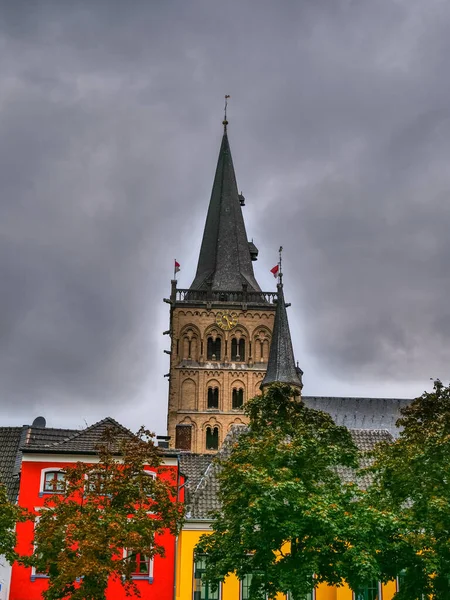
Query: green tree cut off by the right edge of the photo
point(412, 480)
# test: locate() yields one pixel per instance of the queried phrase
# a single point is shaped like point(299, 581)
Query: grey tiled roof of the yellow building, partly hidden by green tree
point(203, 500)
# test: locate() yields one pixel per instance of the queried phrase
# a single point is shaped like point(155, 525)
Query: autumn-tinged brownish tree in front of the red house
point(109, 514)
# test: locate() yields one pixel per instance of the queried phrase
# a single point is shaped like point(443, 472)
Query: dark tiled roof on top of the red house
point(84, 441)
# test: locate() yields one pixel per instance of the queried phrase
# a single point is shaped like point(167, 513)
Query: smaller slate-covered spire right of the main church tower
point(281, 367)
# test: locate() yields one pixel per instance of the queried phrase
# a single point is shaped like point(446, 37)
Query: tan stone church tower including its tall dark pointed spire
point(220, 328)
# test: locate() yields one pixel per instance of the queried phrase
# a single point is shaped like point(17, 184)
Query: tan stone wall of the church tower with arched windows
point(192, 373)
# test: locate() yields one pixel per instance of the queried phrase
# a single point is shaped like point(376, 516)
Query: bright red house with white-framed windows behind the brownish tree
point(43, 463)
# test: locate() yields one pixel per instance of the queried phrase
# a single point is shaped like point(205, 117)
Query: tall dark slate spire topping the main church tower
point(225, 255)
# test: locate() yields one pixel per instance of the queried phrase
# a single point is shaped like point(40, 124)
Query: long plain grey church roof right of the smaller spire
point(361, 413)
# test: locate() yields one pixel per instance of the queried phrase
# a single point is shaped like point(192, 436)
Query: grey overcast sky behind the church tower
point(110, 126)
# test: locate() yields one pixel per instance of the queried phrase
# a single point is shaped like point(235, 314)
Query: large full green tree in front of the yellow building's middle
point(286, 513)
